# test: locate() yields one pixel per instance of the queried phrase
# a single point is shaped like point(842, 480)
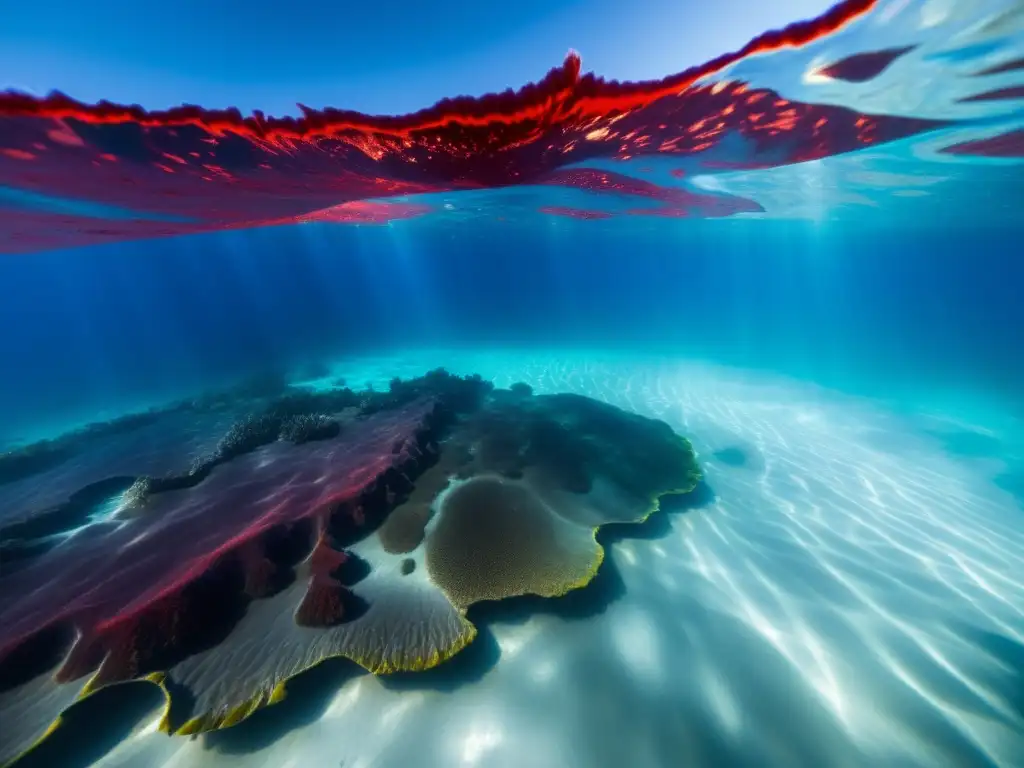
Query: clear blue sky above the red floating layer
point(379, 58)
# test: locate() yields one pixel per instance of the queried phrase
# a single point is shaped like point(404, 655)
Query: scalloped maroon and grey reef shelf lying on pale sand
point(254, 538)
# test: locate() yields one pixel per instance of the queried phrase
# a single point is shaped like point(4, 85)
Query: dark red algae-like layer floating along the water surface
point(83, 175)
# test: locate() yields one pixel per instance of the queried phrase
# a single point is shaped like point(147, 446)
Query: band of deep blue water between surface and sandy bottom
point(103, 329)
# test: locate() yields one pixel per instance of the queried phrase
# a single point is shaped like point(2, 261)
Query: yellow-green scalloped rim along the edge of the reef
point(278, 693)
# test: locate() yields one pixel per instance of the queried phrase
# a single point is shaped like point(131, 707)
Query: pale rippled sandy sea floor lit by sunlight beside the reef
point(846, 590)
